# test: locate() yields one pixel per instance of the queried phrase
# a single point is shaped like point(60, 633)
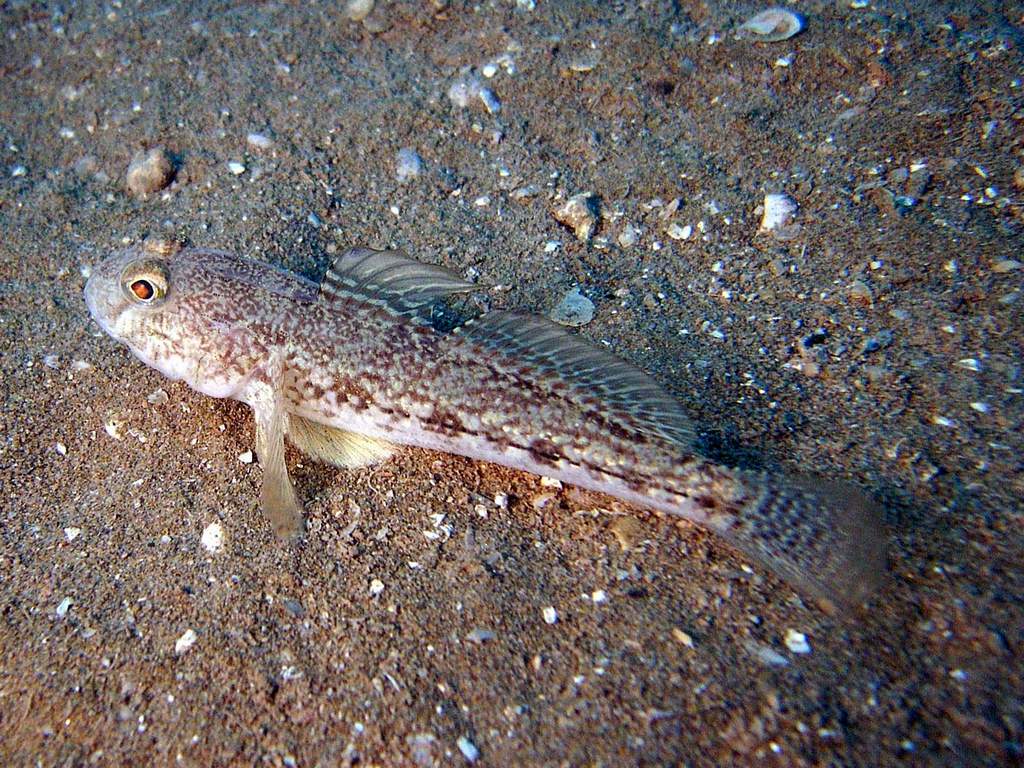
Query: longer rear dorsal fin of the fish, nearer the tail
point(625, 390)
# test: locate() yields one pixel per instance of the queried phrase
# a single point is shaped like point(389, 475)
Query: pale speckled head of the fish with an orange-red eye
point(196, 316)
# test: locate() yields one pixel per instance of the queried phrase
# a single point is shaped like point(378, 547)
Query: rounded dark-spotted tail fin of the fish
point(824, 538)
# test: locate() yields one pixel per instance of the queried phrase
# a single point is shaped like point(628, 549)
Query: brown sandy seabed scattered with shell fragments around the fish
point(446, 612)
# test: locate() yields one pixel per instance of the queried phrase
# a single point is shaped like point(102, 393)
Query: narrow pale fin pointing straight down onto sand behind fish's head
point(277, 496)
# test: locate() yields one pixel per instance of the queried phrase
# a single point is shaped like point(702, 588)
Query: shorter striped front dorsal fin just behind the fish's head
point(391, 280)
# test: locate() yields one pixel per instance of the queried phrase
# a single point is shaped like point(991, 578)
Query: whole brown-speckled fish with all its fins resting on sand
point(368, 361)
